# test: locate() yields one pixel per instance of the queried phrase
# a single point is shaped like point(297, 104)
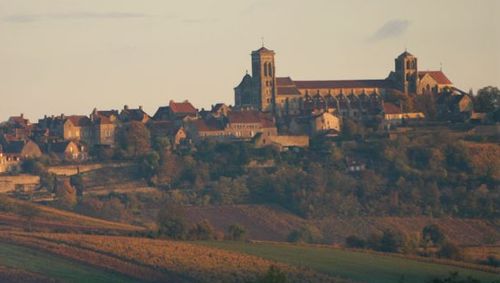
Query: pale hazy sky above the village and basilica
point(69, 56)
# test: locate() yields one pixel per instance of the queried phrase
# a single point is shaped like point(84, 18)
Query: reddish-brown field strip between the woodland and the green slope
point(271, 223)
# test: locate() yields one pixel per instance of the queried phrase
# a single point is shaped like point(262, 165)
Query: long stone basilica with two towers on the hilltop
point(286, 97)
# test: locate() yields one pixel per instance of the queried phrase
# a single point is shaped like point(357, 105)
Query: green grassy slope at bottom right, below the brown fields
point(356, 266)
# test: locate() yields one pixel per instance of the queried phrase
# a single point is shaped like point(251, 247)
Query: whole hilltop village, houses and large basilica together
point(279, 112)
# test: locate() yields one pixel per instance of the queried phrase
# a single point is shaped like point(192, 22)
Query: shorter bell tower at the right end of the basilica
point(406, 73)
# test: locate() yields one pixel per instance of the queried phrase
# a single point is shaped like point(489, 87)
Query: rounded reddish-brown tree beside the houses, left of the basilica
point(134, 139)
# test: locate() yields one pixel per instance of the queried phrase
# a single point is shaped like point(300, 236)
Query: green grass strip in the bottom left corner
point(54, 267)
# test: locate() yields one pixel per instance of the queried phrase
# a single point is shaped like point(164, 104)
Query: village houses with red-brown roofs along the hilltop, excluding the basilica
point(71, 137)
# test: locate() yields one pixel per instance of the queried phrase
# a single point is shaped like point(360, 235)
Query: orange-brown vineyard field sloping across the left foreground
point(149, 260)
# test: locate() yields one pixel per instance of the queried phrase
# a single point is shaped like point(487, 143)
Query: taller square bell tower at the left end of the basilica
point(264, 76)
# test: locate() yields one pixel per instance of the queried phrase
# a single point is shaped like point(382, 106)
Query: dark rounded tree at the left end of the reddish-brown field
point(171, 222)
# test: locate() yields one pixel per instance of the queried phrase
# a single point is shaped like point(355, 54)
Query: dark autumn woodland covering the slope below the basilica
point(428, 175)
